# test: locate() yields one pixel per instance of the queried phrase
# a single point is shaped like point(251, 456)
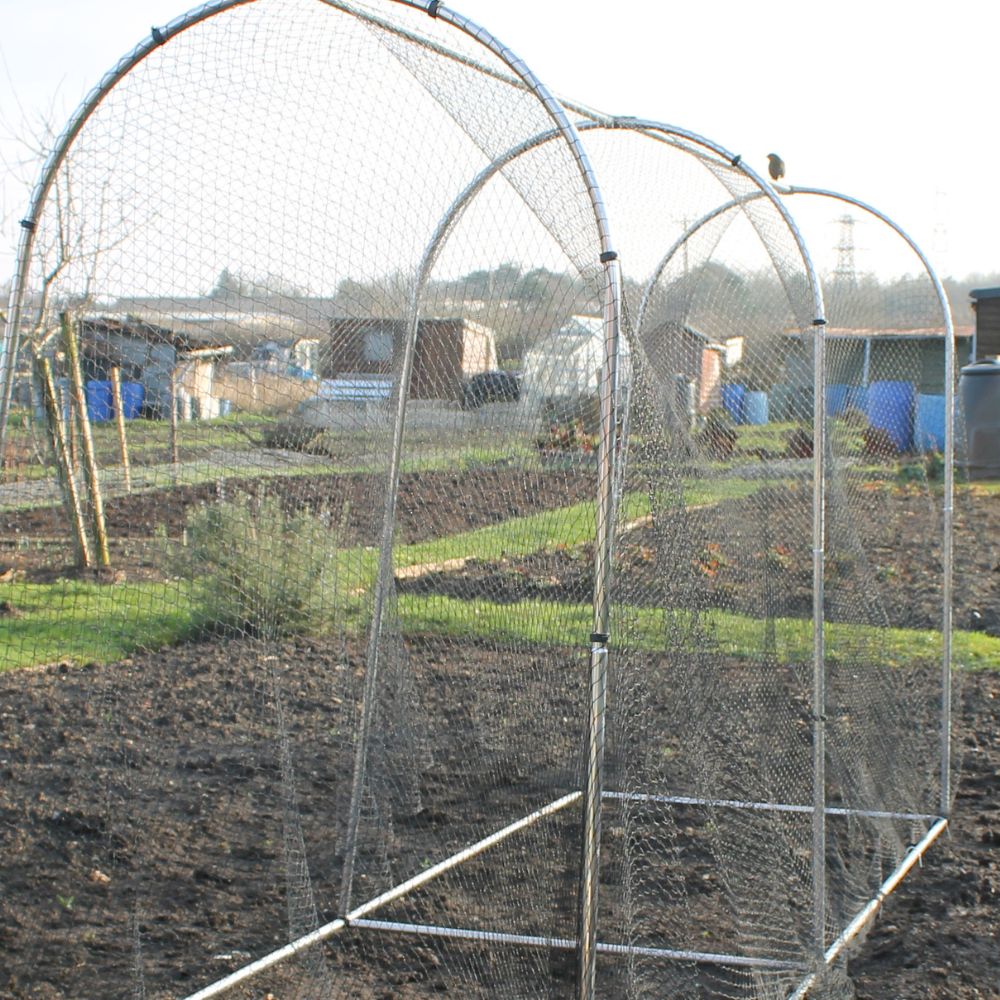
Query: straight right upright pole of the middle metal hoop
point(819, 647)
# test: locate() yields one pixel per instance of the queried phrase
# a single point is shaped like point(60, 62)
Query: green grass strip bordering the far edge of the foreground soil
point(89, 622)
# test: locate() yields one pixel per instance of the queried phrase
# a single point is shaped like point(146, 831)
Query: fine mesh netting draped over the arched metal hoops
point(312, 463)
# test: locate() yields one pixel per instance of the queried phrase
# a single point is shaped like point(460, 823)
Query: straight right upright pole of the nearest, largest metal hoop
point(590, 871)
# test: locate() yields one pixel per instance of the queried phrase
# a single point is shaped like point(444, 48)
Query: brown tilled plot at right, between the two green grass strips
point(732, 557)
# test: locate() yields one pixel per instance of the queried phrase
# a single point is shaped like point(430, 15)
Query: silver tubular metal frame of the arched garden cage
point(593, 794)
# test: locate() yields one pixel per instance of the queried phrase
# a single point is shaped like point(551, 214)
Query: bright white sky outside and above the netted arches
point(883, 100)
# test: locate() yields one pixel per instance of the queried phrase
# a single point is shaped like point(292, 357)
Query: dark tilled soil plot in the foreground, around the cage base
point(165, 799)
